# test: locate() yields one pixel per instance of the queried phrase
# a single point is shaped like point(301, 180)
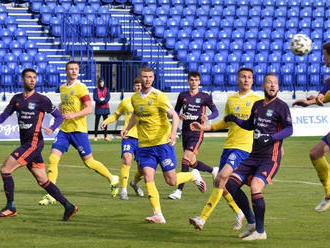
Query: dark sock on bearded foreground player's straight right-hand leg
point(259, 206)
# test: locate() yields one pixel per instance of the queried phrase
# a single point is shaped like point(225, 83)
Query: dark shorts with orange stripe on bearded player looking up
point(265, 169)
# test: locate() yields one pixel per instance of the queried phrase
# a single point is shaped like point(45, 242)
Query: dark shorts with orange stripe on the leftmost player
point(29, 154)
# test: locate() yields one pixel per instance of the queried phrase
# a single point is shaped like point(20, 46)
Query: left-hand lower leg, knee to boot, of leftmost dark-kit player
point(8, 167)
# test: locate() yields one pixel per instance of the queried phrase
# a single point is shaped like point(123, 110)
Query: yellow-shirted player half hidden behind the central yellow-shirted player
point(129, 145)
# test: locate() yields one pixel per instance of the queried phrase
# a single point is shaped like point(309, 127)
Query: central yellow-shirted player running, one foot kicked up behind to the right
point(156, 141)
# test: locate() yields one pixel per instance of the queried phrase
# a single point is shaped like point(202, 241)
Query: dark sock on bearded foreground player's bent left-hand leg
point(234, 188)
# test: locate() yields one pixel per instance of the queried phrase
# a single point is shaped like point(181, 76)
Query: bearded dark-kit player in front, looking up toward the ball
point(271, 121)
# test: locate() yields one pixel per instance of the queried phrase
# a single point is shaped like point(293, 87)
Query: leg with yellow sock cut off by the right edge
point(321, 165)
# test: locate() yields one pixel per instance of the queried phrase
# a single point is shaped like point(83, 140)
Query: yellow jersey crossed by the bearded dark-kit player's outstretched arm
point(240, 106)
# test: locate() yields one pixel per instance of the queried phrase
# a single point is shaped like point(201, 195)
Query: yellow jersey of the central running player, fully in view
point(152, 123)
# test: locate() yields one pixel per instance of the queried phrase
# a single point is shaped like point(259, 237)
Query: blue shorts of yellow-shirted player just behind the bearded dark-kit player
point(233, 157)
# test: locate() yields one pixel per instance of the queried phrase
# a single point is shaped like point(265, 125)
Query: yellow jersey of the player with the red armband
point(72, 101)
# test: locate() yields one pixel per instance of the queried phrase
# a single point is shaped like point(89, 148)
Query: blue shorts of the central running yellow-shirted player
point(154, 155)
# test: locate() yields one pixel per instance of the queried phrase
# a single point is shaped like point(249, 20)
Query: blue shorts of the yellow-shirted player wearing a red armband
point(78, 140)
